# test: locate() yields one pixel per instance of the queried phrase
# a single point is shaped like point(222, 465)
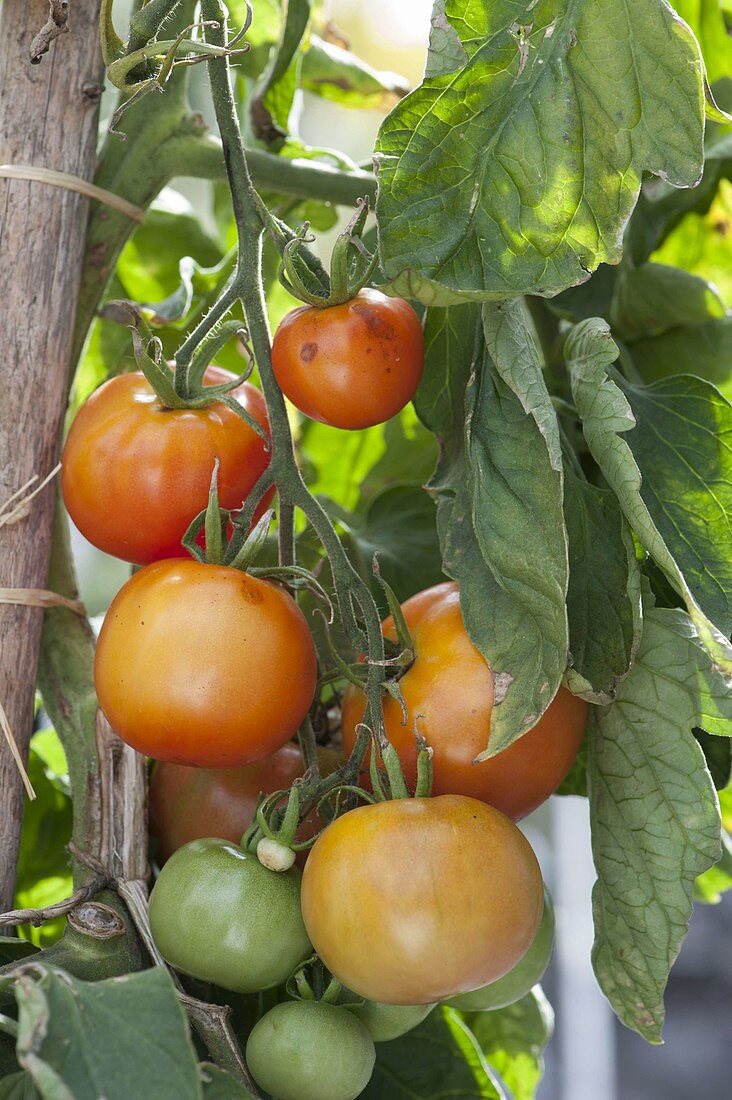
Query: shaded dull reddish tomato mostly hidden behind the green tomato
point(192, 804)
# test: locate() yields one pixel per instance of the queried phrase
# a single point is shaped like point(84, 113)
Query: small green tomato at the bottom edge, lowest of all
point(311, 1051)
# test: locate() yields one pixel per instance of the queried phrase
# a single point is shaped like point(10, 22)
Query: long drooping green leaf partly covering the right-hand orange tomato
point(499, 490)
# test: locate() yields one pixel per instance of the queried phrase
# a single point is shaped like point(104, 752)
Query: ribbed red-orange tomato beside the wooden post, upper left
point(136, 475)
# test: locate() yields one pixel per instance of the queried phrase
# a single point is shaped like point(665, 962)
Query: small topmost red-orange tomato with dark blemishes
point(353, 366)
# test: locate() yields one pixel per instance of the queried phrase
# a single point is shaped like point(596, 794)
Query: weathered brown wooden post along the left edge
point(49, 118)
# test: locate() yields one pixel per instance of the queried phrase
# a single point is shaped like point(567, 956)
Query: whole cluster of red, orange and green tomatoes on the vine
point(211, 670)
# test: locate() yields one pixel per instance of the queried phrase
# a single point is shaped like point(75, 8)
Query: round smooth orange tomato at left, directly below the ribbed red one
point(204, 665)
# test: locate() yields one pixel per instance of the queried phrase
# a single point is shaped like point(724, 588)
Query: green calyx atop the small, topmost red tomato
point(352, 266)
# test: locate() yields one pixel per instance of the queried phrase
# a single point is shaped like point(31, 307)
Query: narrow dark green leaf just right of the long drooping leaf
point(604, 600)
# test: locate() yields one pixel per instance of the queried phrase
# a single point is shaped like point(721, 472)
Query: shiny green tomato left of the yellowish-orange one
point(216, 914)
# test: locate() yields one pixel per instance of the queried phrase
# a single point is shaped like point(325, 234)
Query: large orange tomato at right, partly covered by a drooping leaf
point(450, 691)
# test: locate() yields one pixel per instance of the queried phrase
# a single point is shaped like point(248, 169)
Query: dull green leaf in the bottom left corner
point(81, 1041)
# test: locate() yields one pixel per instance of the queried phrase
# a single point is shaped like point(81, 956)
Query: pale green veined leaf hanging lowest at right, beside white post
point(654, 815)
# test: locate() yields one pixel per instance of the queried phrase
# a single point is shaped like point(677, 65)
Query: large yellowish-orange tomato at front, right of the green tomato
point(411, 901)
